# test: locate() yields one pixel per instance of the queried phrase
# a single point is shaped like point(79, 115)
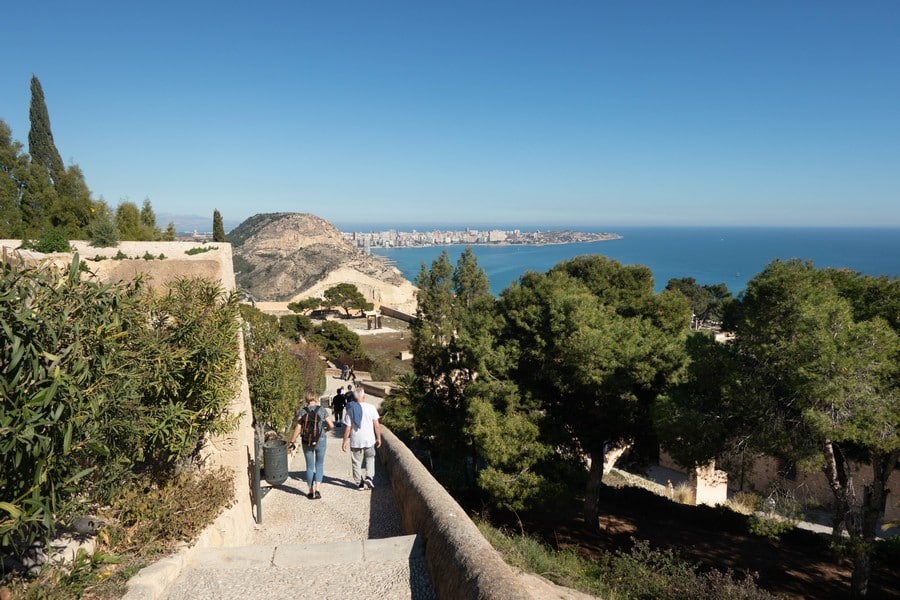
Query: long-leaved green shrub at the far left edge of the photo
point(57, 375)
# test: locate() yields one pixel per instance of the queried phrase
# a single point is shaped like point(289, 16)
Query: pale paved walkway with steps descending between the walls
point(347, 544)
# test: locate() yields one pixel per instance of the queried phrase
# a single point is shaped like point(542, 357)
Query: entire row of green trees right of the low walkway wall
point(511, 397)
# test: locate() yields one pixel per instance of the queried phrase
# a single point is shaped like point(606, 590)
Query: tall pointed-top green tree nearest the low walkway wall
point(459, 402)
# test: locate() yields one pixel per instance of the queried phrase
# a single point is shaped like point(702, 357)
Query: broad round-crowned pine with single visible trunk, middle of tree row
point(590, 339)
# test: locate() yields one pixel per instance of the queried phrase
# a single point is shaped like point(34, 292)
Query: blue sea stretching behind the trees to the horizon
point(710, 255)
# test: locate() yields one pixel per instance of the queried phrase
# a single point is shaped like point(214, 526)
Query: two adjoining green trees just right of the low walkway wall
point(523, 389)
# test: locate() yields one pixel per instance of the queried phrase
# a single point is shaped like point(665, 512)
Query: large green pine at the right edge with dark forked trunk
point(817, 385)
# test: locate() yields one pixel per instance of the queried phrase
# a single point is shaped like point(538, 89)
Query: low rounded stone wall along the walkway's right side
point(461, 563)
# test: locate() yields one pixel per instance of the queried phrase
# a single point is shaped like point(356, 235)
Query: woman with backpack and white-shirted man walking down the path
point(361, 434)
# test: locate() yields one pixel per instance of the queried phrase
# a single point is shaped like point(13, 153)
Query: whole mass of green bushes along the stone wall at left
point(102, 384)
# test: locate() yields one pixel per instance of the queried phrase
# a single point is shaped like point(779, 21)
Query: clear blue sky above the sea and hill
point(528, 113)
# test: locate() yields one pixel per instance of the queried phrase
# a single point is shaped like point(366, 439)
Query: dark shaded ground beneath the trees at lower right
point(800, 565)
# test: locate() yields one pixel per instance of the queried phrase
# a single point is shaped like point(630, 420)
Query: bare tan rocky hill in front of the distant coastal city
point(282, 257)
